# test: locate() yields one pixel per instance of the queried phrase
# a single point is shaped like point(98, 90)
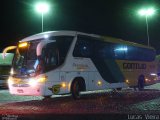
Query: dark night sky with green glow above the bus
point(116, 18)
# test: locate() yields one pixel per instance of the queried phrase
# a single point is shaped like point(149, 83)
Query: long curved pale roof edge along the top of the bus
point(73, 33)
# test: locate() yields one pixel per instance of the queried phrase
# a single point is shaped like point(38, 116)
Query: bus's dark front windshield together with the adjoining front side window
point(53, 53)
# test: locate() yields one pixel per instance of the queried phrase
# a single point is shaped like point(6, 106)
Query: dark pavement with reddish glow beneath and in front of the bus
point(121, 104)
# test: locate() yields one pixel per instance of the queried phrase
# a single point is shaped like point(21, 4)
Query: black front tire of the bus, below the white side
point(77, 86)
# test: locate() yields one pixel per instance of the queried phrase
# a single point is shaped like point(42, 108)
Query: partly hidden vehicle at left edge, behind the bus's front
point(5, 66)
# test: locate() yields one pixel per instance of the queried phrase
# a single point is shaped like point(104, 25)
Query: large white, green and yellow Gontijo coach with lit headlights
point(70, 62)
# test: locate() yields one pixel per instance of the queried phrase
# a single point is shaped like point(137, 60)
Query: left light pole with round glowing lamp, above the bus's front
point(42, 8)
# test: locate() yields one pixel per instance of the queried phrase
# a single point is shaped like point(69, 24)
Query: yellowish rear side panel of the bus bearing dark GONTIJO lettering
point(133, 69)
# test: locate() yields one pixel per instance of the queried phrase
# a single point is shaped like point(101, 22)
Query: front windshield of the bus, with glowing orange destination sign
point(25, 58)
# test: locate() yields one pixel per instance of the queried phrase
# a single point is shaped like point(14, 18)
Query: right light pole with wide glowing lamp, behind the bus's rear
point(146, 12)
